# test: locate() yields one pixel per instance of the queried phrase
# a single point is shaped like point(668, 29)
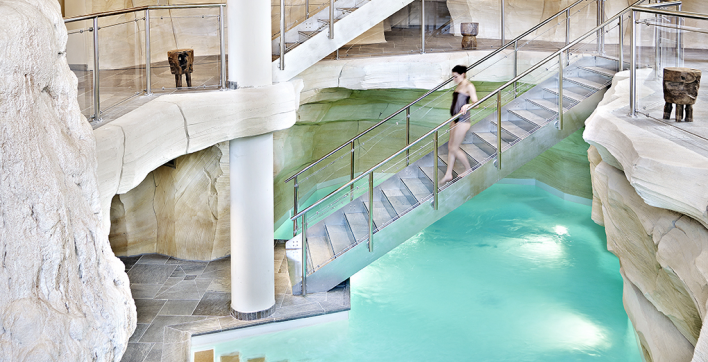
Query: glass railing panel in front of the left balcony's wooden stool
point(196, 29)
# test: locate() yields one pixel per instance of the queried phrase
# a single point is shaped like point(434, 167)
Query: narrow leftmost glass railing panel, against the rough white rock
point(79, 55)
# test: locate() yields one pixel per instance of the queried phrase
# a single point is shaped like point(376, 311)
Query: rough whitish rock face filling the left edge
point(64, 296)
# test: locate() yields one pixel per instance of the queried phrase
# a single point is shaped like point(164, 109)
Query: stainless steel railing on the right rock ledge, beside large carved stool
point(632, 68)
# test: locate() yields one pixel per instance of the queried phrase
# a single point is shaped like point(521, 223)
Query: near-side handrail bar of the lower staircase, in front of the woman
point(482, 100)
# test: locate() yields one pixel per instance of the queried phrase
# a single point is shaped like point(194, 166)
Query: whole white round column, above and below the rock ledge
point(251, 167)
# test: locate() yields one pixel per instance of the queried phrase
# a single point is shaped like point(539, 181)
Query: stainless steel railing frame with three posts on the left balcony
point(148, 74)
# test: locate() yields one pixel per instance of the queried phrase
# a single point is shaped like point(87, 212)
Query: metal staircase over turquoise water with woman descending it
point(381, 207)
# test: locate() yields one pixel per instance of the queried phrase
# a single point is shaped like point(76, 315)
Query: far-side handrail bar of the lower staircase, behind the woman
point(436, 88)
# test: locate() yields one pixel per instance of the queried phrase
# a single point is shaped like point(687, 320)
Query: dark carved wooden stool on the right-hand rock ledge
point(681, 88)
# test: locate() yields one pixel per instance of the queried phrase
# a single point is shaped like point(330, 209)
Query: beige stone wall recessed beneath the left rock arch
point(182, 212)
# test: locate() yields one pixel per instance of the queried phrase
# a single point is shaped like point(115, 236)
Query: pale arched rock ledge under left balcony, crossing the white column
point(170, 126)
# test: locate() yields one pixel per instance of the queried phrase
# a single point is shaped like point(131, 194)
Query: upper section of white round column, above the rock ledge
point(249, 53)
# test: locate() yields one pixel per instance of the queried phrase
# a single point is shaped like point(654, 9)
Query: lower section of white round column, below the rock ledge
point(252, 251)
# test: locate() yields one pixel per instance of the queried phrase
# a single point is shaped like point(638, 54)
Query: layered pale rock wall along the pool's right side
point(649, 193)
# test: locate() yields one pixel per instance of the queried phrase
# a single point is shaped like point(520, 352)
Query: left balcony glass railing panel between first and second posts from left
point(121, 60)
